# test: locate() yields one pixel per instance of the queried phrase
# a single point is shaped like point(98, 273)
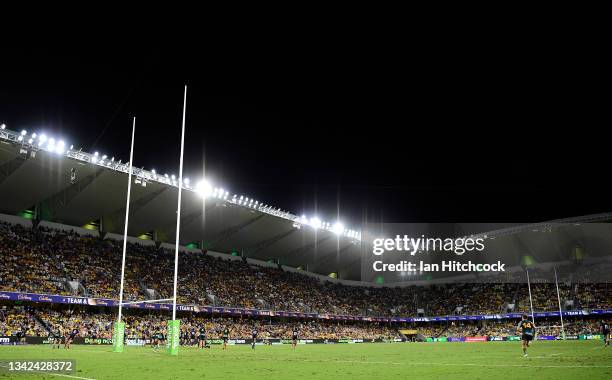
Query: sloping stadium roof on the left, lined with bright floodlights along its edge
point(32, 176)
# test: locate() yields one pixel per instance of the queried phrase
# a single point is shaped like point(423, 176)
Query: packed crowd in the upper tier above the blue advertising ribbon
point(43, 260)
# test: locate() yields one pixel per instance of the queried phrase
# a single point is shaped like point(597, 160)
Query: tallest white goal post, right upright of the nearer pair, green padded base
point(174, 325)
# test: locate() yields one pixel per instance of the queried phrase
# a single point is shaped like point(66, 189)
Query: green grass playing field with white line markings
point(547, 360)
